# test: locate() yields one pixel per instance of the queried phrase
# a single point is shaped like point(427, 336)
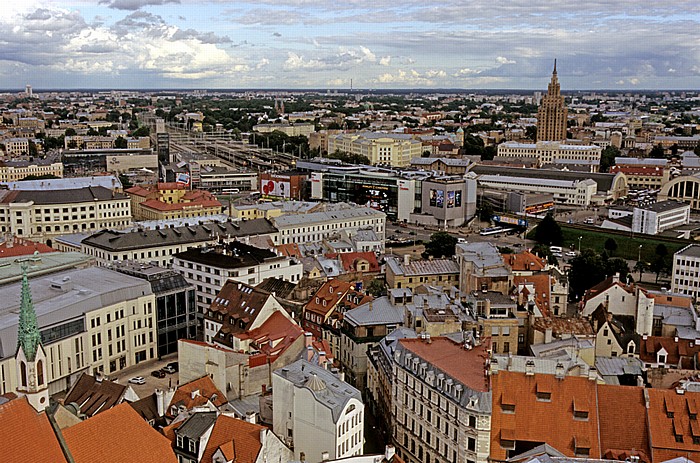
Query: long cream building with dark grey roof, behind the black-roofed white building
point(160, 244)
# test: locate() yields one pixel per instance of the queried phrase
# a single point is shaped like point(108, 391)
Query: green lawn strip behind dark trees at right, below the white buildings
point(627, 246)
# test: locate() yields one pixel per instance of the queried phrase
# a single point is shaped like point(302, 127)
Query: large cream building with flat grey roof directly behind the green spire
point(92, 320)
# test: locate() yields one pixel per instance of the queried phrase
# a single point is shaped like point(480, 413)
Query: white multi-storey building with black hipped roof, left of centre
point(208, 268)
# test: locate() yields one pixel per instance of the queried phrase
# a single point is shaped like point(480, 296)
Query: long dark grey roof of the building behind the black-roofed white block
point(115, 241)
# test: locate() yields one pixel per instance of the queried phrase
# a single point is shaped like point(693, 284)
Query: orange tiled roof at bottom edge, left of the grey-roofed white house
point(238, 439)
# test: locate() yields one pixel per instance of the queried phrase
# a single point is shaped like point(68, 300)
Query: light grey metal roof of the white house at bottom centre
point(328, 390)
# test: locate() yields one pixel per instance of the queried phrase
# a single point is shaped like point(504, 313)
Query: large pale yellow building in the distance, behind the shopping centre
point(380, 148)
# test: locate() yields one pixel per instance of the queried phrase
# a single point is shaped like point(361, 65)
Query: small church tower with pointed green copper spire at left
point(30, 357)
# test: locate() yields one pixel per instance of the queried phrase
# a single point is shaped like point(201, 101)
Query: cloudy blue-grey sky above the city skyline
point(379, 44)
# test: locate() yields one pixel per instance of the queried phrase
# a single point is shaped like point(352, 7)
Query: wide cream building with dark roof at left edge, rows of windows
point(43, 214)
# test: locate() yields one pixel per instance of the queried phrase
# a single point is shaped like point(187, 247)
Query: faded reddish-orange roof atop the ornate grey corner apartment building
point(466, 366)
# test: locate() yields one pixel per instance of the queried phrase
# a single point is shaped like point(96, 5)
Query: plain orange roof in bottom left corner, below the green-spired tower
point(26, 435)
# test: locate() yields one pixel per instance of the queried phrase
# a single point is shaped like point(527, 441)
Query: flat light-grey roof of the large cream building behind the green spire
point(65, 296)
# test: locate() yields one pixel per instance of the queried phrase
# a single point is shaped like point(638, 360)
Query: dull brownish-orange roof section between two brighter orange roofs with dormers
point(623, 426)
